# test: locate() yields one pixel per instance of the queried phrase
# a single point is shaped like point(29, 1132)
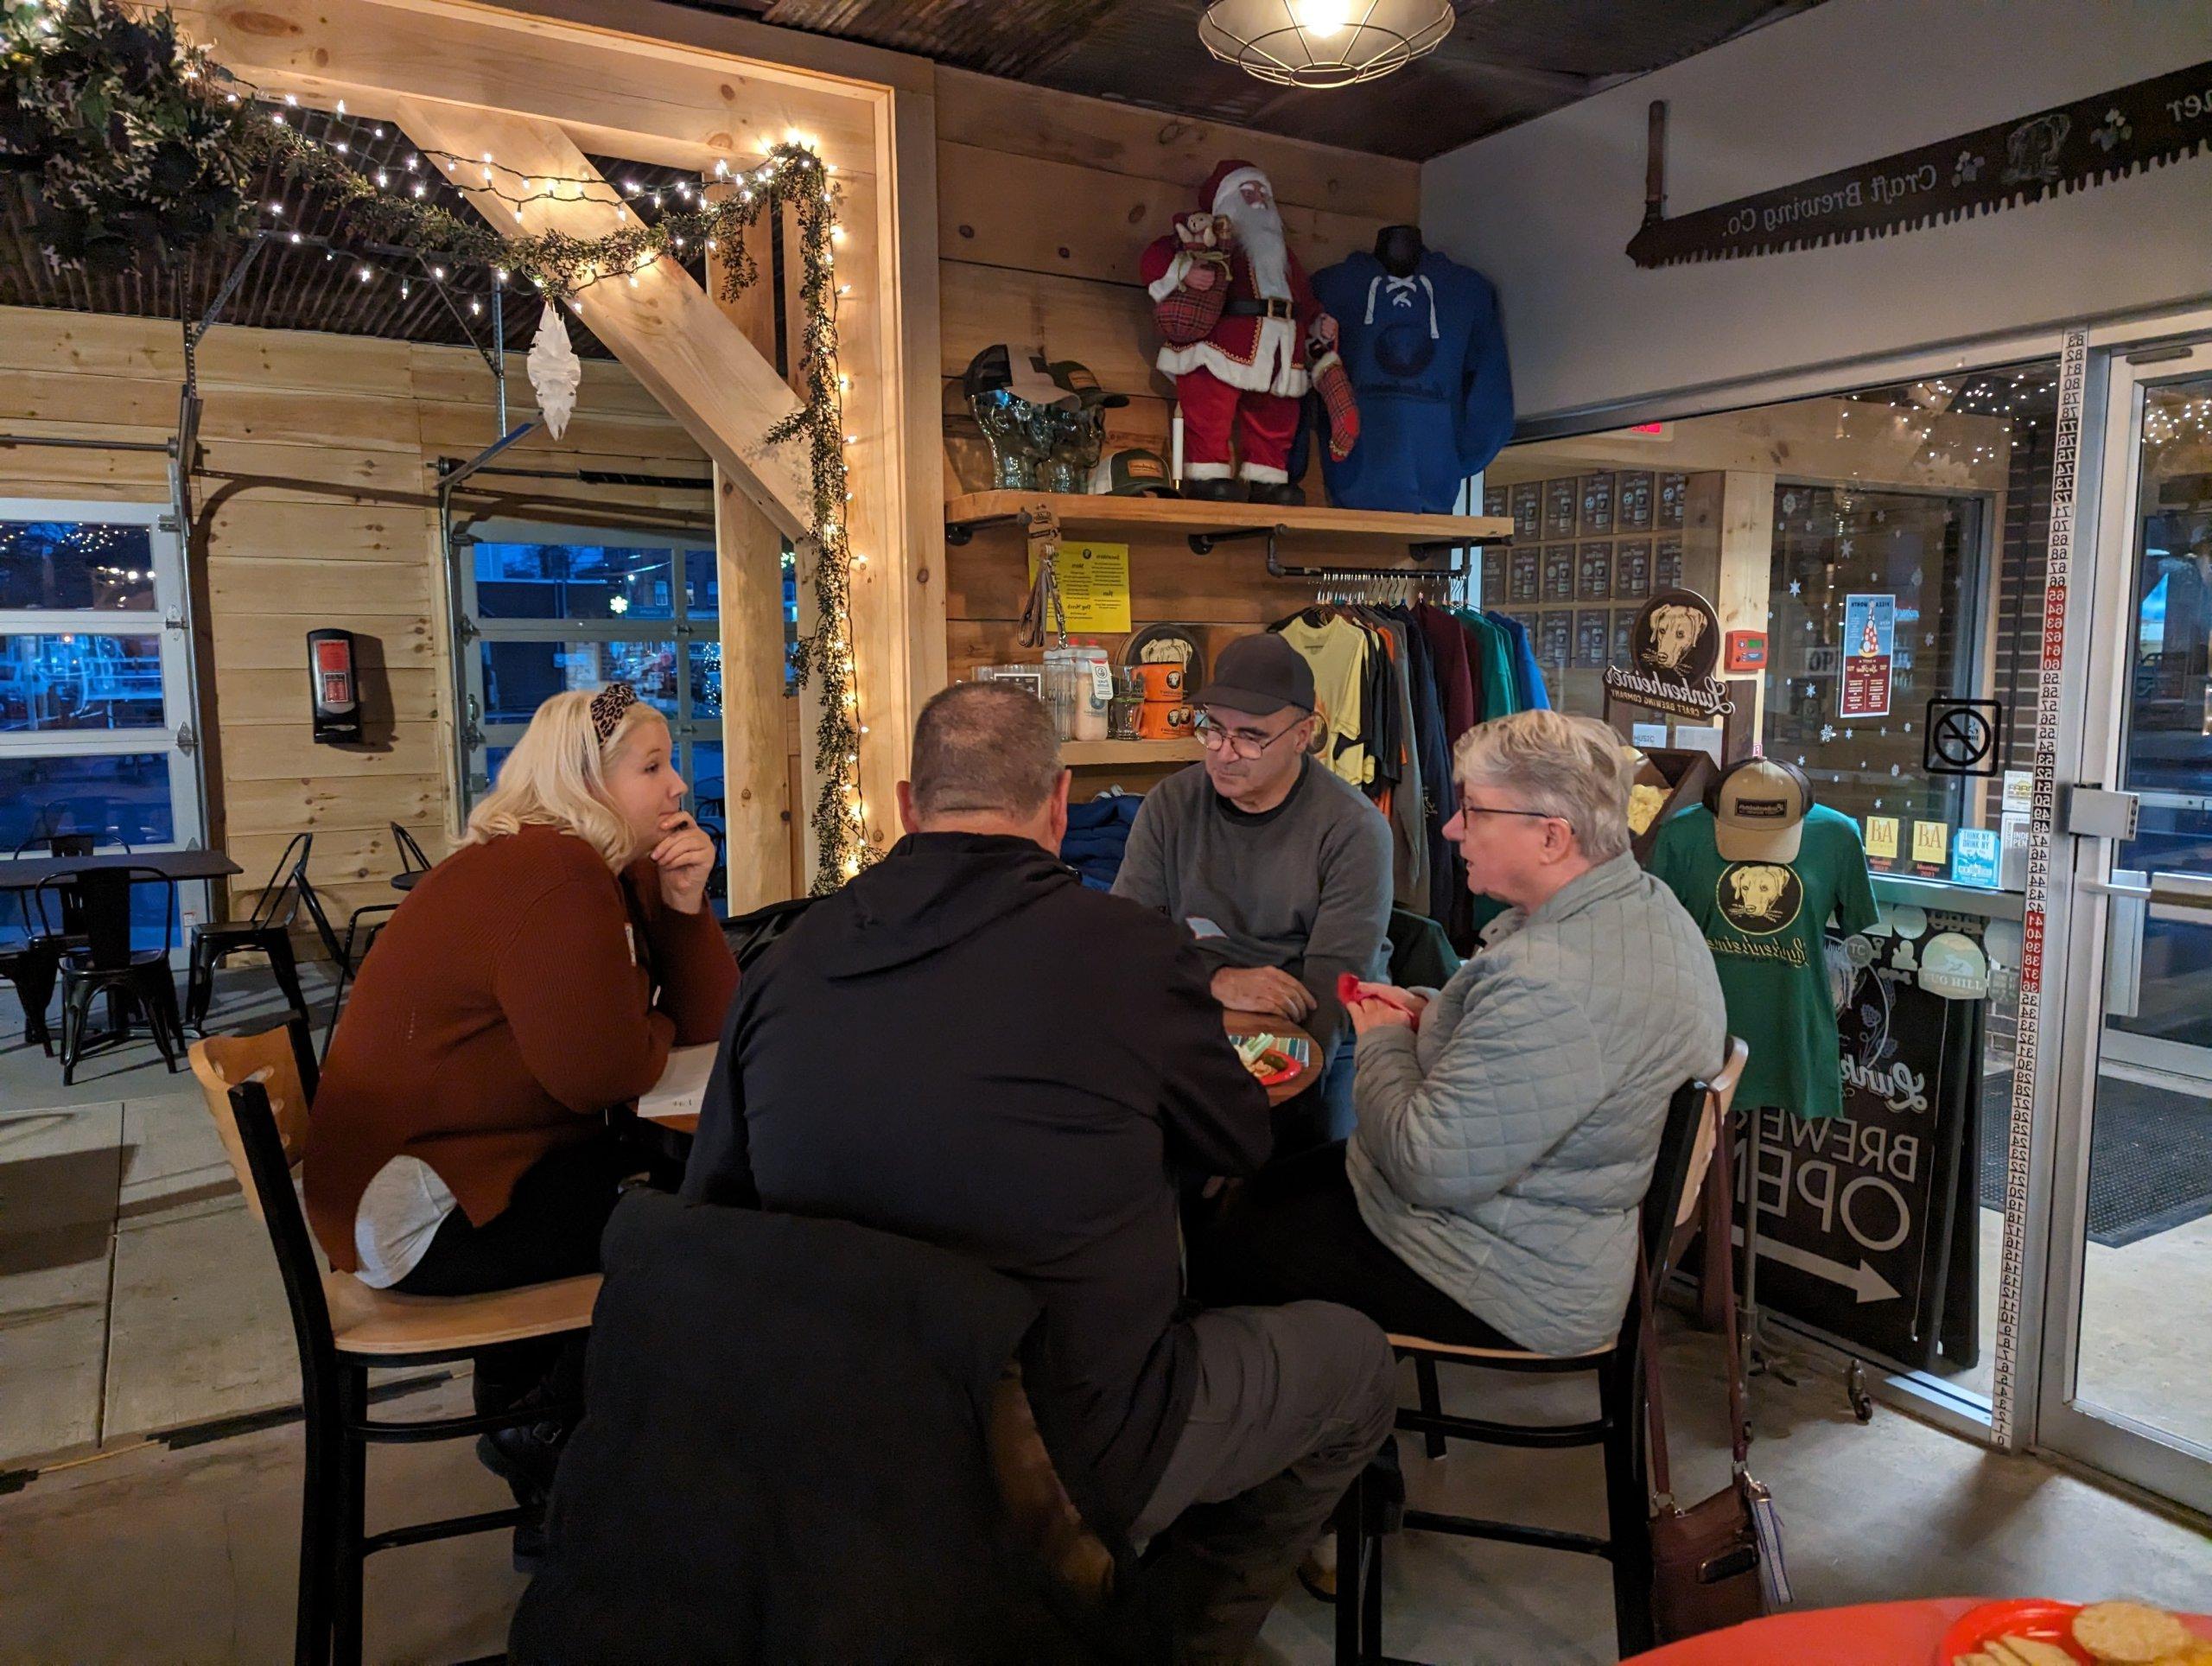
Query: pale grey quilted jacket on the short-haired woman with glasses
point(1505, 1147)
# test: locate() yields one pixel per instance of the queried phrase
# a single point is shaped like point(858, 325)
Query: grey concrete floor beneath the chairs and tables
point(136, 1295)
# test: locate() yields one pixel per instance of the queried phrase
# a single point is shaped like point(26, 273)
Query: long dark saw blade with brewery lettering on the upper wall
point(2052, 154)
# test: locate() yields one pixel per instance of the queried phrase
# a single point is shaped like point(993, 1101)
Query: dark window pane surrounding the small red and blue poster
point(1833, 543)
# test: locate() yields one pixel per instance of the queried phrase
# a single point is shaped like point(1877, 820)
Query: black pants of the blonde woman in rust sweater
point(547, 1231)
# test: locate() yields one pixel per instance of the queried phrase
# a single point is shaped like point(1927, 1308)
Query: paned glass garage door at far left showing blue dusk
point(96, 689)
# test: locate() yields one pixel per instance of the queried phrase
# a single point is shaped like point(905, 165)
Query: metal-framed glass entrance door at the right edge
point(2129, 1329)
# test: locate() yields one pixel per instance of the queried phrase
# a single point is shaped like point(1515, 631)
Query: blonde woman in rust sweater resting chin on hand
point(532, 981)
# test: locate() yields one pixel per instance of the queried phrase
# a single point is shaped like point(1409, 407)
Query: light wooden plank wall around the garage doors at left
point(315, 508)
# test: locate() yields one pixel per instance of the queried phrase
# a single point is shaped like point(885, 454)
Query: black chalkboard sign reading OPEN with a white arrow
point(1857, 1211)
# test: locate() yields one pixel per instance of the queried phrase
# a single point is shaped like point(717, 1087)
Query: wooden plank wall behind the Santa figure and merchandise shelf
point(1045, 205)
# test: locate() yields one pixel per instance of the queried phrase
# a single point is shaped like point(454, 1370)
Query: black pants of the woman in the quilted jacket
point(1295, 1233)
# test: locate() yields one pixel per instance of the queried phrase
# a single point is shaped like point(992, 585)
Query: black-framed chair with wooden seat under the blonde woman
point(258, 1090)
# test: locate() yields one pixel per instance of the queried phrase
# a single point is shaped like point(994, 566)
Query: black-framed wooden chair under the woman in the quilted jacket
point(1669, 1218)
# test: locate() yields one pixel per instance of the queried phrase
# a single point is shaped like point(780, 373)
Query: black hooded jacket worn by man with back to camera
point(968, 1048)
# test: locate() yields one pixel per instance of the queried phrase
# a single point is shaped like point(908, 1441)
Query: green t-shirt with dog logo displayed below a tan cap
point(1766, 926)
